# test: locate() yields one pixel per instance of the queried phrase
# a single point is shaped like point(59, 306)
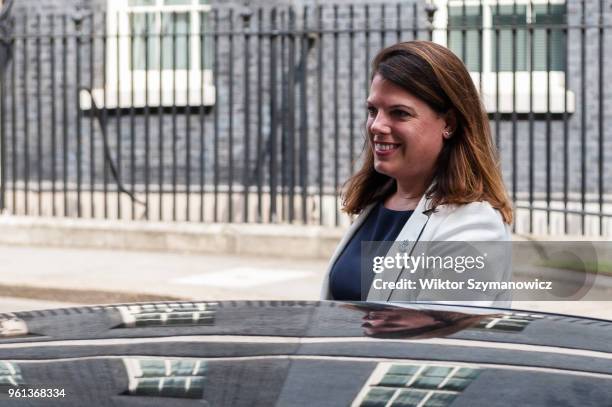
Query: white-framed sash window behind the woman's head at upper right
point(506, 44)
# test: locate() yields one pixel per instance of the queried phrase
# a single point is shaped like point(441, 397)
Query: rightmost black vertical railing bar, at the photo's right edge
point(601, 141)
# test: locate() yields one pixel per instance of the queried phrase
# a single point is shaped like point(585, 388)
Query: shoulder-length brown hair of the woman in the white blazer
point(467, 169)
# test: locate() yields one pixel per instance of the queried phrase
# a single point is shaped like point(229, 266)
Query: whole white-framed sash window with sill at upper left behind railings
point(158, 53)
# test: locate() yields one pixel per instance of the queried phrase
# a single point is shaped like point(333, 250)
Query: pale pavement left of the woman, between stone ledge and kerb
point(188, 276)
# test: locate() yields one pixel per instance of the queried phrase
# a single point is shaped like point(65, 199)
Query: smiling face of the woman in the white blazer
point(405, 133)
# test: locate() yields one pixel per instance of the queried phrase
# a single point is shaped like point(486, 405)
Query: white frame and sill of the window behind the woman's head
point(542, 80)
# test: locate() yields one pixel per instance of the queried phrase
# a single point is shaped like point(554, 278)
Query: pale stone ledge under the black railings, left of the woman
point(289, 241)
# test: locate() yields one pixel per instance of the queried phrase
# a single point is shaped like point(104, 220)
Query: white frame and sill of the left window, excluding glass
point(152, 86)
